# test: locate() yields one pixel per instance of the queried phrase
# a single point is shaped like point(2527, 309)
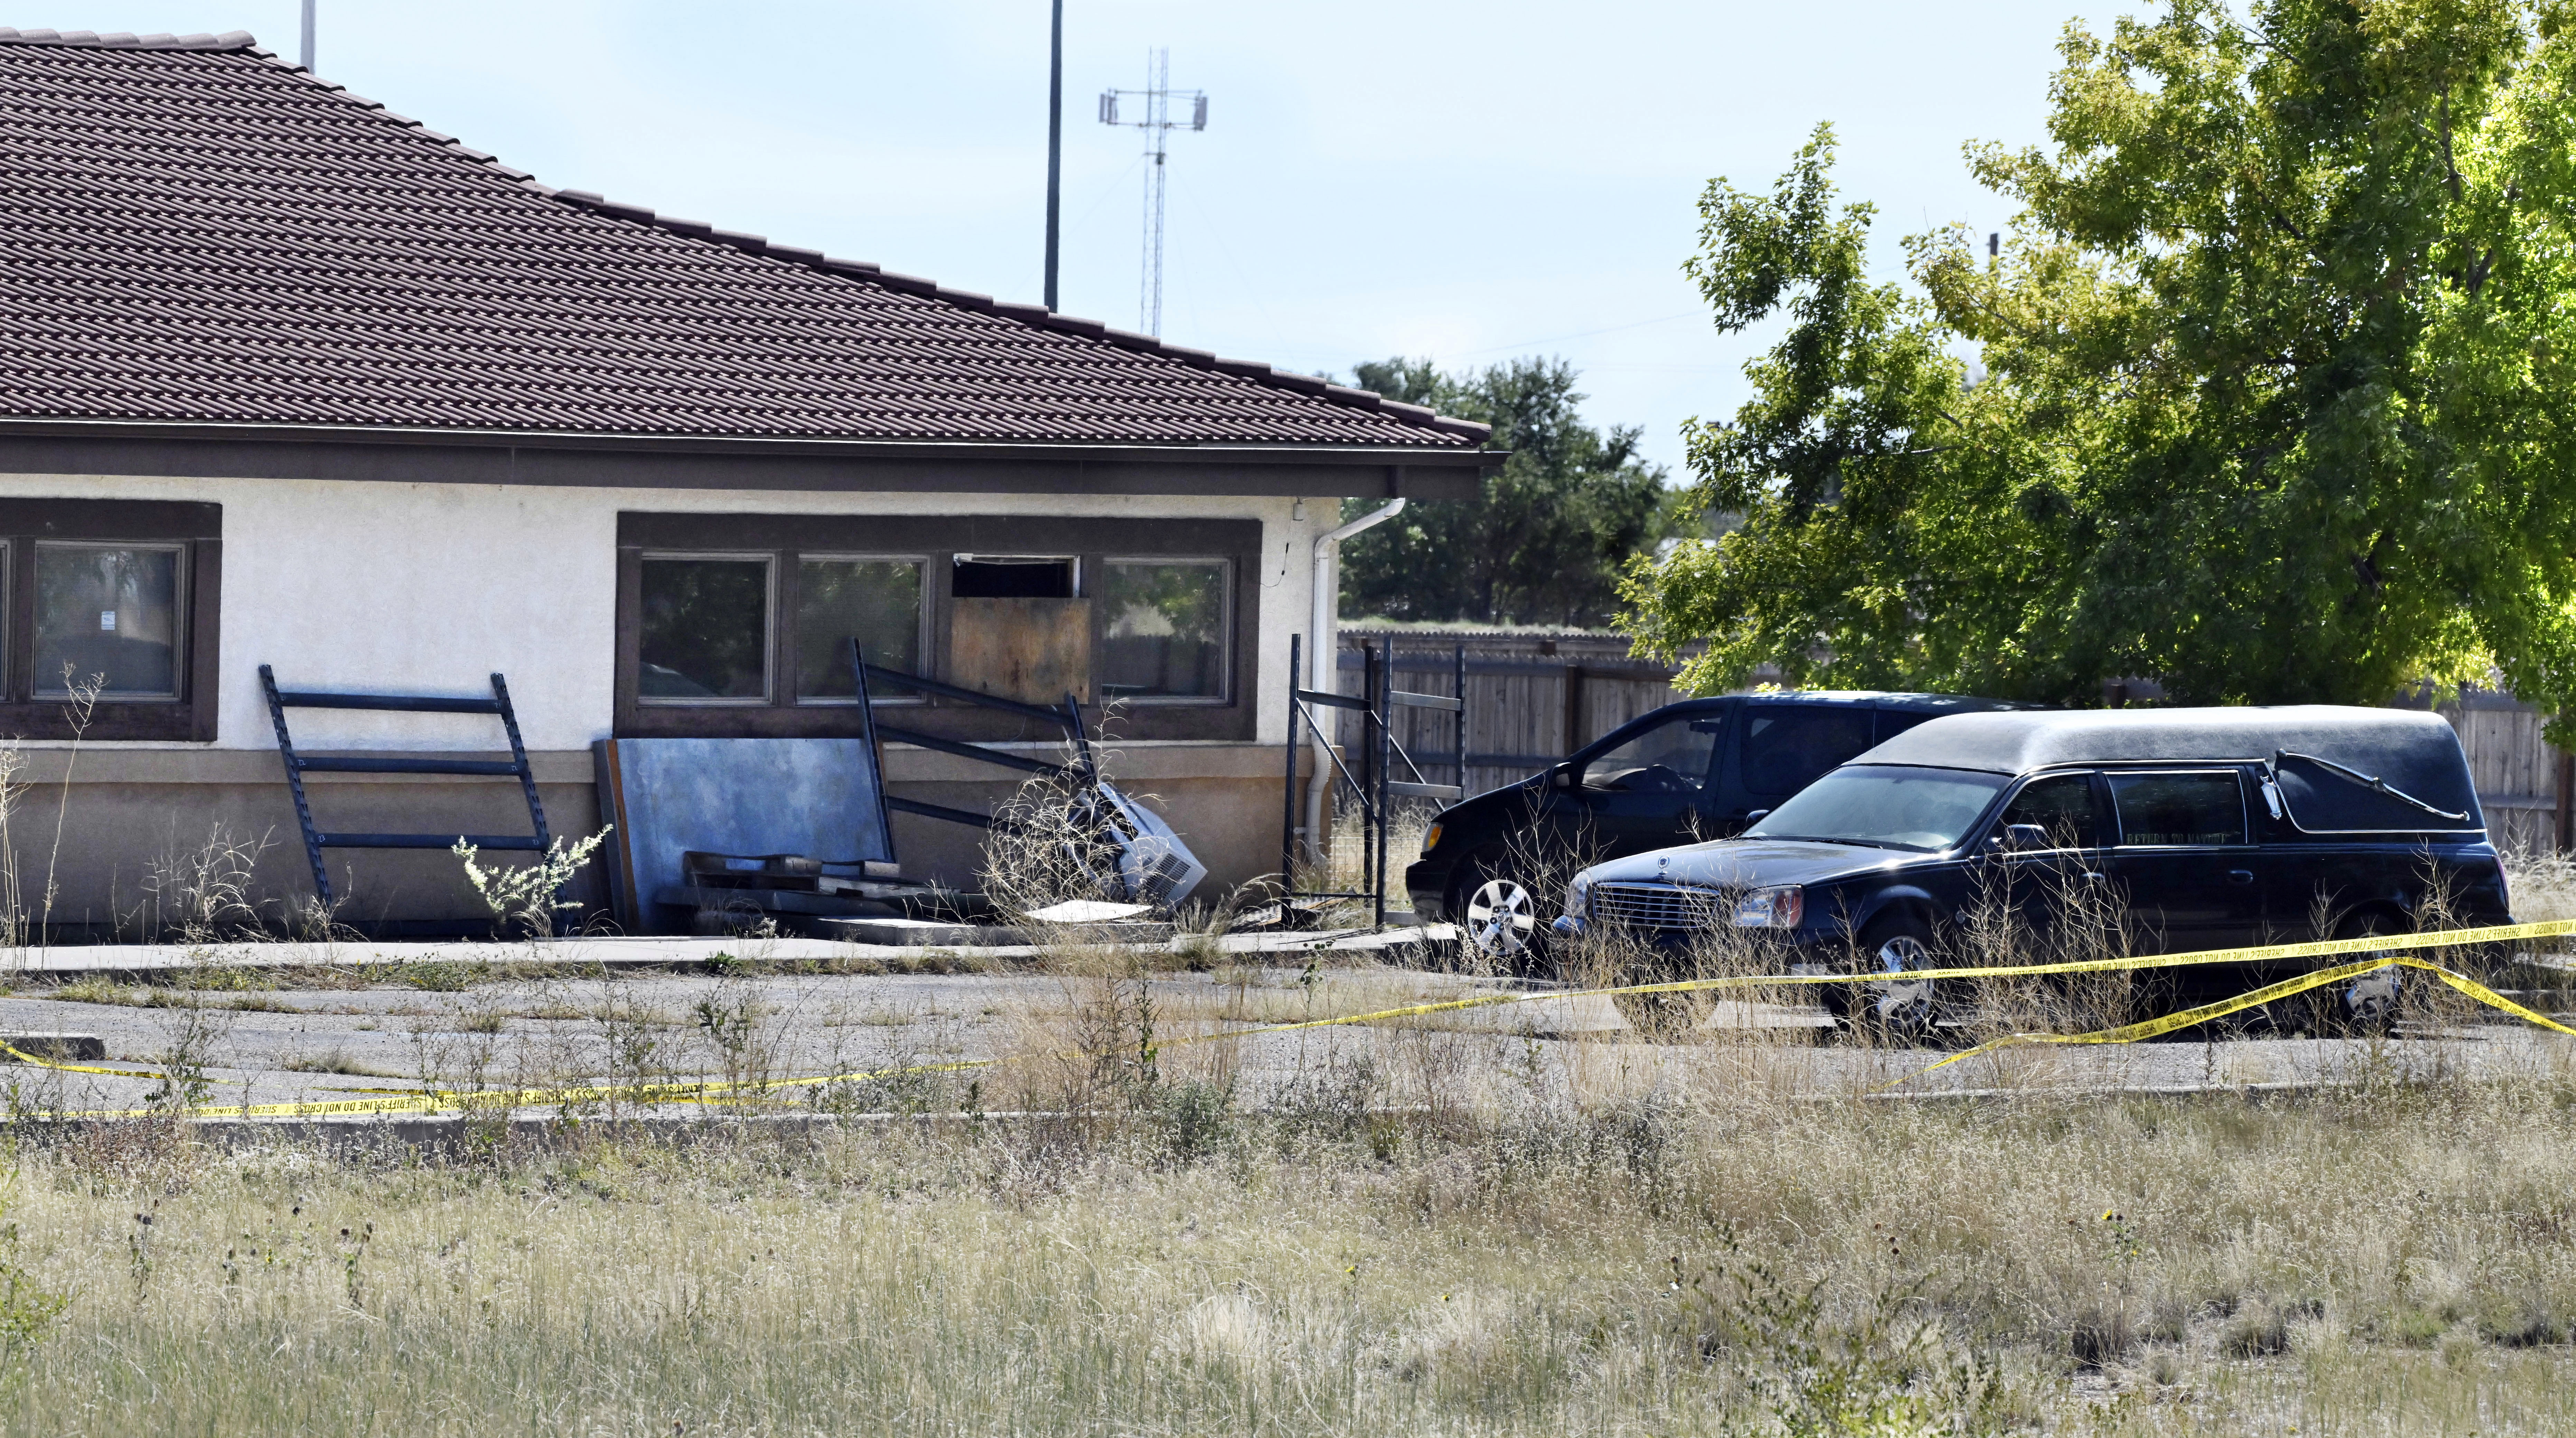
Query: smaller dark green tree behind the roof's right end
point(1549, 535)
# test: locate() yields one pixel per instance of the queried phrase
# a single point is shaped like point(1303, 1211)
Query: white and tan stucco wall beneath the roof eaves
point(434, 586)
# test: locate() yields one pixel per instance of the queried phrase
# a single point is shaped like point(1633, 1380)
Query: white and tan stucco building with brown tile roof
point(290, 380)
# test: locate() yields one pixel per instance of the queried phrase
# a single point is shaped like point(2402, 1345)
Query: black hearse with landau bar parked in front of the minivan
point(2209, 829)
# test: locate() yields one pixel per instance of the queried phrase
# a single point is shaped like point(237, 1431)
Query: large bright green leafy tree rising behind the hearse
point(2273, 403)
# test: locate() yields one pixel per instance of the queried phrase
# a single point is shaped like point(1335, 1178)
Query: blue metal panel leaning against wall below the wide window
point(813, 798)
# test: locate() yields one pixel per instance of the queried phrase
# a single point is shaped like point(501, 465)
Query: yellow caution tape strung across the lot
point(707, 1091)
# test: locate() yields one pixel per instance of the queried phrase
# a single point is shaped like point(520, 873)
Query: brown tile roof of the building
point(200, 233)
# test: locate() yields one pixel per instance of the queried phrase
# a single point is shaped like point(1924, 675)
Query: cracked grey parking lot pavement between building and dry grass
point(318, 1045)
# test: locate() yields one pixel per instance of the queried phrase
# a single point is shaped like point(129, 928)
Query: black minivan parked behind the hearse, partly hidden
point(1686, 772)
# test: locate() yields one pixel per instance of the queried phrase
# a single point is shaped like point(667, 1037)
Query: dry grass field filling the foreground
point(2371, 1261)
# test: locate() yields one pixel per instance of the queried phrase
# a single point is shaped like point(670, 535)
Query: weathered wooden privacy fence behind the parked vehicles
point(1539, 697)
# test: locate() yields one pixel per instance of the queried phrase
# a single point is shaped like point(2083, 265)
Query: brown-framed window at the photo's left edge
point(112, 594)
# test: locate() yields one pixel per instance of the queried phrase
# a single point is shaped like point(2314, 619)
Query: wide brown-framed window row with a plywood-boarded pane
point(735, 625)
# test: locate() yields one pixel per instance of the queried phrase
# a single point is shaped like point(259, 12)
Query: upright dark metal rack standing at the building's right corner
point(1379, 790)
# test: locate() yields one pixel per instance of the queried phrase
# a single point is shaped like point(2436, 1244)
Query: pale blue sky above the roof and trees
point(1421, 177)
